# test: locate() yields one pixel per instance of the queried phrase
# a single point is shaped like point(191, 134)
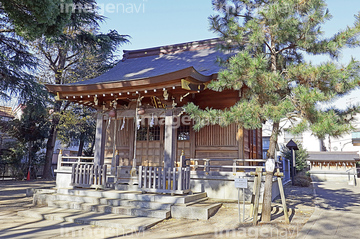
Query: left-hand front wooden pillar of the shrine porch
point(99, 139)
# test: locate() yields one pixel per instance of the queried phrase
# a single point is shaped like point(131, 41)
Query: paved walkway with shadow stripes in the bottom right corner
point(337, 212)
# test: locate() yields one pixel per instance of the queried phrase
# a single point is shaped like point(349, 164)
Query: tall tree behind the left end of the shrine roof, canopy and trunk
point(80, 44)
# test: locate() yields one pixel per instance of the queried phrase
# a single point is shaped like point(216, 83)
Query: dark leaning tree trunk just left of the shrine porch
point(50, 145)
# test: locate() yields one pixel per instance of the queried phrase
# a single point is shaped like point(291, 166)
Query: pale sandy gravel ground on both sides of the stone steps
point(223, 225)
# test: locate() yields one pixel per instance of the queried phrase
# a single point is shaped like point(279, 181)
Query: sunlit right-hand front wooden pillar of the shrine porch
point(170, 140)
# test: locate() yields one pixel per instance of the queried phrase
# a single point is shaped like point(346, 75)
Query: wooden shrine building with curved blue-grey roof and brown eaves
point(140, 115)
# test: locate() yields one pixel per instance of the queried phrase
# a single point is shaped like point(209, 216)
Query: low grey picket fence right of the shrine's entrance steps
point(164, 180)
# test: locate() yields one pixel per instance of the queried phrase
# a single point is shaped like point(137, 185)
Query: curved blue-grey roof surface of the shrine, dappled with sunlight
point(146, 63)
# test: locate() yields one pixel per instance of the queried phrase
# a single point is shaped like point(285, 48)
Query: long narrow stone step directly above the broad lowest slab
point(122, 210)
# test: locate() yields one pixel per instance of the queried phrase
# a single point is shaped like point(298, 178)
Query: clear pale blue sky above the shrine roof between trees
point(158, 22)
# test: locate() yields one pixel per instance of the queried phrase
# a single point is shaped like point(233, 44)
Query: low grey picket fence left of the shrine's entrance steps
point(89, 176)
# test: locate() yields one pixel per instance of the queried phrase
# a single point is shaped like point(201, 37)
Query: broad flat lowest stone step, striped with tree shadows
point(125, 223)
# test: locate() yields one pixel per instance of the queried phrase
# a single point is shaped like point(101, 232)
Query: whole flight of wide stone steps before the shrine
point(62, 204)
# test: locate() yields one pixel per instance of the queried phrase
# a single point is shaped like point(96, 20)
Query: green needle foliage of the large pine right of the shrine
point(268, 39)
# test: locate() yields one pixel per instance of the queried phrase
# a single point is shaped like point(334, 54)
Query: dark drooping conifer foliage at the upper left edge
point(16, 61)
